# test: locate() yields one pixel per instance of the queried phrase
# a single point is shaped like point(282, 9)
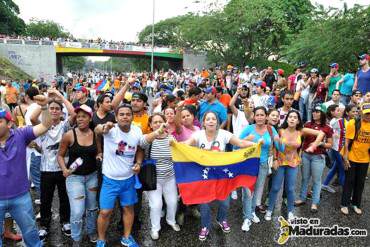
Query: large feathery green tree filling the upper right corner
point(333, 36)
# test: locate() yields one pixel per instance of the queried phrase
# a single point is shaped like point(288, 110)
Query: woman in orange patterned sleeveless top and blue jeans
point(288, 159)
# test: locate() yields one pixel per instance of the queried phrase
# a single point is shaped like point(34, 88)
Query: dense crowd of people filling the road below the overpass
point(89, 144)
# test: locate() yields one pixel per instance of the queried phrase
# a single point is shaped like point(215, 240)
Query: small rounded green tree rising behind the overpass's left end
point(45, 28)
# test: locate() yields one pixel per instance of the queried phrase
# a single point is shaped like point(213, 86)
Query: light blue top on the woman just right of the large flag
point(251, 130)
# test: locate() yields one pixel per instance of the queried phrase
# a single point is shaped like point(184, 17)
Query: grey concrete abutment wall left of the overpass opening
point(38, 61)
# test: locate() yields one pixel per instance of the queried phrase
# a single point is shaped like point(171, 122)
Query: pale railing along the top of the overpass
point(105, 46)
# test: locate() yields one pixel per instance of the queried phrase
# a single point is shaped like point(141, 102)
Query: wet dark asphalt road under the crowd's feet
point(261, 234)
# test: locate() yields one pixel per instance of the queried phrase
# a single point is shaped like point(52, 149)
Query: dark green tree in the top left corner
point(10, 23)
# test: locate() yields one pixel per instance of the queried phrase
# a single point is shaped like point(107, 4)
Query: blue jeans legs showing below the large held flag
point(205, 212)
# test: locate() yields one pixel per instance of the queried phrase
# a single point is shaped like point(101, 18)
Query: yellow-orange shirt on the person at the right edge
point(360, 148)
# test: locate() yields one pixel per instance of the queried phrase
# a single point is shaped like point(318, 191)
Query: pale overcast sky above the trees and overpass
point(118, 19)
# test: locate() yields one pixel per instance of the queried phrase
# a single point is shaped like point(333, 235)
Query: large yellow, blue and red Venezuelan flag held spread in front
point(204, 176)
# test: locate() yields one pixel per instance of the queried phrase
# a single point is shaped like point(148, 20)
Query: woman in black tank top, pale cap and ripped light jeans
point(82, 184)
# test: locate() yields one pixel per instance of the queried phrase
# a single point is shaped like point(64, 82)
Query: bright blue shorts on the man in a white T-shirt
point(111, 189)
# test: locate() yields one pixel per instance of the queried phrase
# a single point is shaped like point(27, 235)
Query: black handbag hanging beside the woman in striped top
point(148, 173)
